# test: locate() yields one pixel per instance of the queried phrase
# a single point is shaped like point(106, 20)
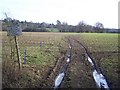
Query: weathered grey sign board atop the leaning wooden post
point(14, 29)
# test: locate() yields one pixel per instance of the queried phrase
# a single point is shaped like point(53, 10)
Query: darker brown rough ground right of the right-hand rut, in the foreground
point(109, 64)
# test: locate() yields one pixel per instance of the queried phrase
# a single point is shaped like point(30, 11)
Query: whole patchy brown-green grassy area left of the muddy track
point(42, 51)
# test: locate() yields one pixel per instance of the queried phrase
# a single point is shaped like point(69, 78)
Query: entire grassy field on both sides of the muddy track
point(43, 49)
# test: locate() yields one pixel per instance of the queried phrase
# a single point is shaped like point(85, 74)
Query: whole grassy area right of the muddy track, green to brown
point(108, 45)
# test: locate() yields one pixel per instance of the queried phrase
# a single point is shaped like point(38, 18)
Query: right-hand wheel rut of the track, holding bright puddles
point(99, 78)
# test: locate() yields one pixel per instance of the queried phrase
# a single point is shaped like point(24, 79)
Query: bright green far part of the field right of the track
point(100, 42)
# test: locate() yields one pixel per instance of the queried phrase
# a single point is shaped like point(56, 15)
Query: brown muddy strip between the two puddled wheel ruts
point(79, 73)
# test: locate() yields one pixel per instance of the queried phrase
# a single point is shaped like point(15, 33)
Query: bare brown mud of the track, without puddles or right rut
point(78, 73)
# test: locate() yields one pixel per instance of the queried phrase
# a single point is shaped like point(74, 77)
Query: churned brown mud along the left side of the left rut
point(49, 78)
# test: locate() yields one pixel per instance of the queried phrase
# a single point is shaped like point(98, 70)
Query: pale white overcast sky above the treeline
point(70, 11)
